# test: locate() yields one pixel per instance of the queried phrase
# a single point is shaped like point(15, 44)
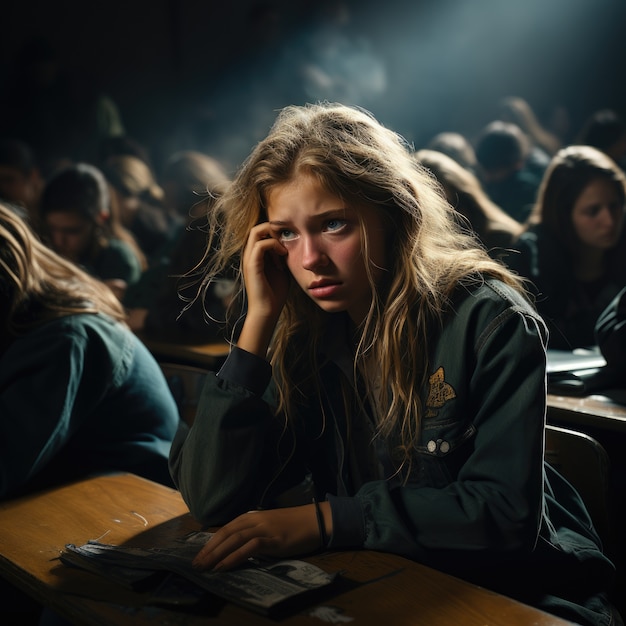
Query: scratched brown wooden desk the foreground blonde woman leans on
point(126, 509)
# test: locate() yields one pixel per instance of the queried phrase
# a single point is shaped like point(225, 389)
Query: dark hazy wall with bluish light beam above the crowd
point(194, 72)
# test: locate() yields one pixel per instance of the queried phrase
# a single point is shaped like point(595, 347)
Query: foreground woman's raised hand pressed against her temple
point(265, 274)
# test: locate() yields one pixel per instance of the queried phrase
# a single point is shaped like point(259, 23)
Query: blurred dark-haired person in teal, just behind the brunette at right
point(503, 154)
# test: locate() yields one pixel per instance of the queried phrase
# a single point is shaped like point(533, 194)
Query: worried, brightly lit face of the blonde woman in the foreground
point(325, 251)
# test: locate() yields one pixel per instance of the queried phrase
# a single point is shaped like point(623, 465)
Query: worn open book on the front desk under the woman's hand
point(269, 587)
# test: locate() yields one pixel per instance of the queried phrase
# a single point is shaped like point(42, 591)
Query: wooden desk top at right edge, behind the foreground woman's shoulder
point(598, 411)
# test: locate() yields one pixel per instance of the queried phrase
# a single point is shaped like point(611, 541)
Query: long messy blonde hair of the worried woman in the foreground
point(362, 162)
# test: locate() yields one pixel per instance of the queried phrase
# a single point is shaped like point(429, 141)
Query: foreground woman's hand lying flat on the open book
point(274, 533)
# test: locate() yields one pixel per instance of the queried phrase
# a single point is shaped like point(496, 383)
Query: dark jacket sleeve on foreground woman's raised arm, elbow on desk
point(230, 458)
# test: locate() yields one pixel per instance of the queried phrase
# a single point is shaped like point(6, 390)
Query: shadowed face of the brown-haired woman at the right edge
point(598, 214)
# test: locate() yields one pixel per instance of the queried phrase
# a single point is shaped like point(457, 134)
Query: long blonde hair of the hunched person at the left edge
point(37, 285)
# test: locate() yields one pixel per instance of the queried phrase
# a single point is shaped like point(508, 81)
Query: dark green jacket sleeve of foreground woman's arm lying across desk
point(494, 503)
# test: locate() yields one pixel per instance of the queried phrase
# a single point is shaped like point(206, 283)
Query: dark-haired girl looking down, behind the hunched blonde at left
point(79, 224)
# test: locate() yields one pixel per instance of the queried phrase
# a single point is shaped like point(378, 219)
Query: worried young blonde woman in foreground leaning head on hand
point(386, 367)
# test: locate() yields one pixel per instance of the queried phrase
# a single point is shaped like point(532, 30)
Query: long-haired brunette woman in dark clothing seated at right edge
point(574, 248)
